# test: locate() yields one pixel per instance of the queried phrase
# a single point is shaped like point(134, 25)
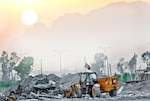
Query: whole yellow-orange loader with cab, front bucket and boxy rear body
point(90, 84)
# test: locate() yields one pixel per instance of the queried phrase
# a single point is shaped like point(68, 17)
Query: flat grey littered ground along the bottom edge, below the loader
point(125, 96)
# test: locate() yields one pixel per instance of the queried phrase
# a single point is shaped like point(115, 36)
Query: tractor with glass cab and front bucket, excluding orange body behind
point(86, 85)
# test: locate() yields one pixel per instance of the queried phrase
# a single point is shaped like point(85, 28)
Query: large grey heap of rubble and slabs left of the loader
point(41, 87)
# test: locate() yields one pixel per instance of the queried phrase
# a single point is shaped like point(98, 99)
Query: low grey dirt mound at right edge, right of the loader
point(140, 86)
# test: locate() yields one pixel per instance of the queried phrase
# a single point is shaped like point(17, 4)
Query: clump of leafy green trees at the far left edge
point(13, 62)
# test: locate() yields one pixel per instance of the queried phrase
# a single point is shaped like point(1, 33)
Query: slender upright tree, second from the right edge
point(132, 65)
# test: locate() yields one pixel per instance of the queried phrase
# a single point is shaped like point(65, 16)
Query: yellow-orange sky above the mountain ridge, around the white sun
point(47, 10)
